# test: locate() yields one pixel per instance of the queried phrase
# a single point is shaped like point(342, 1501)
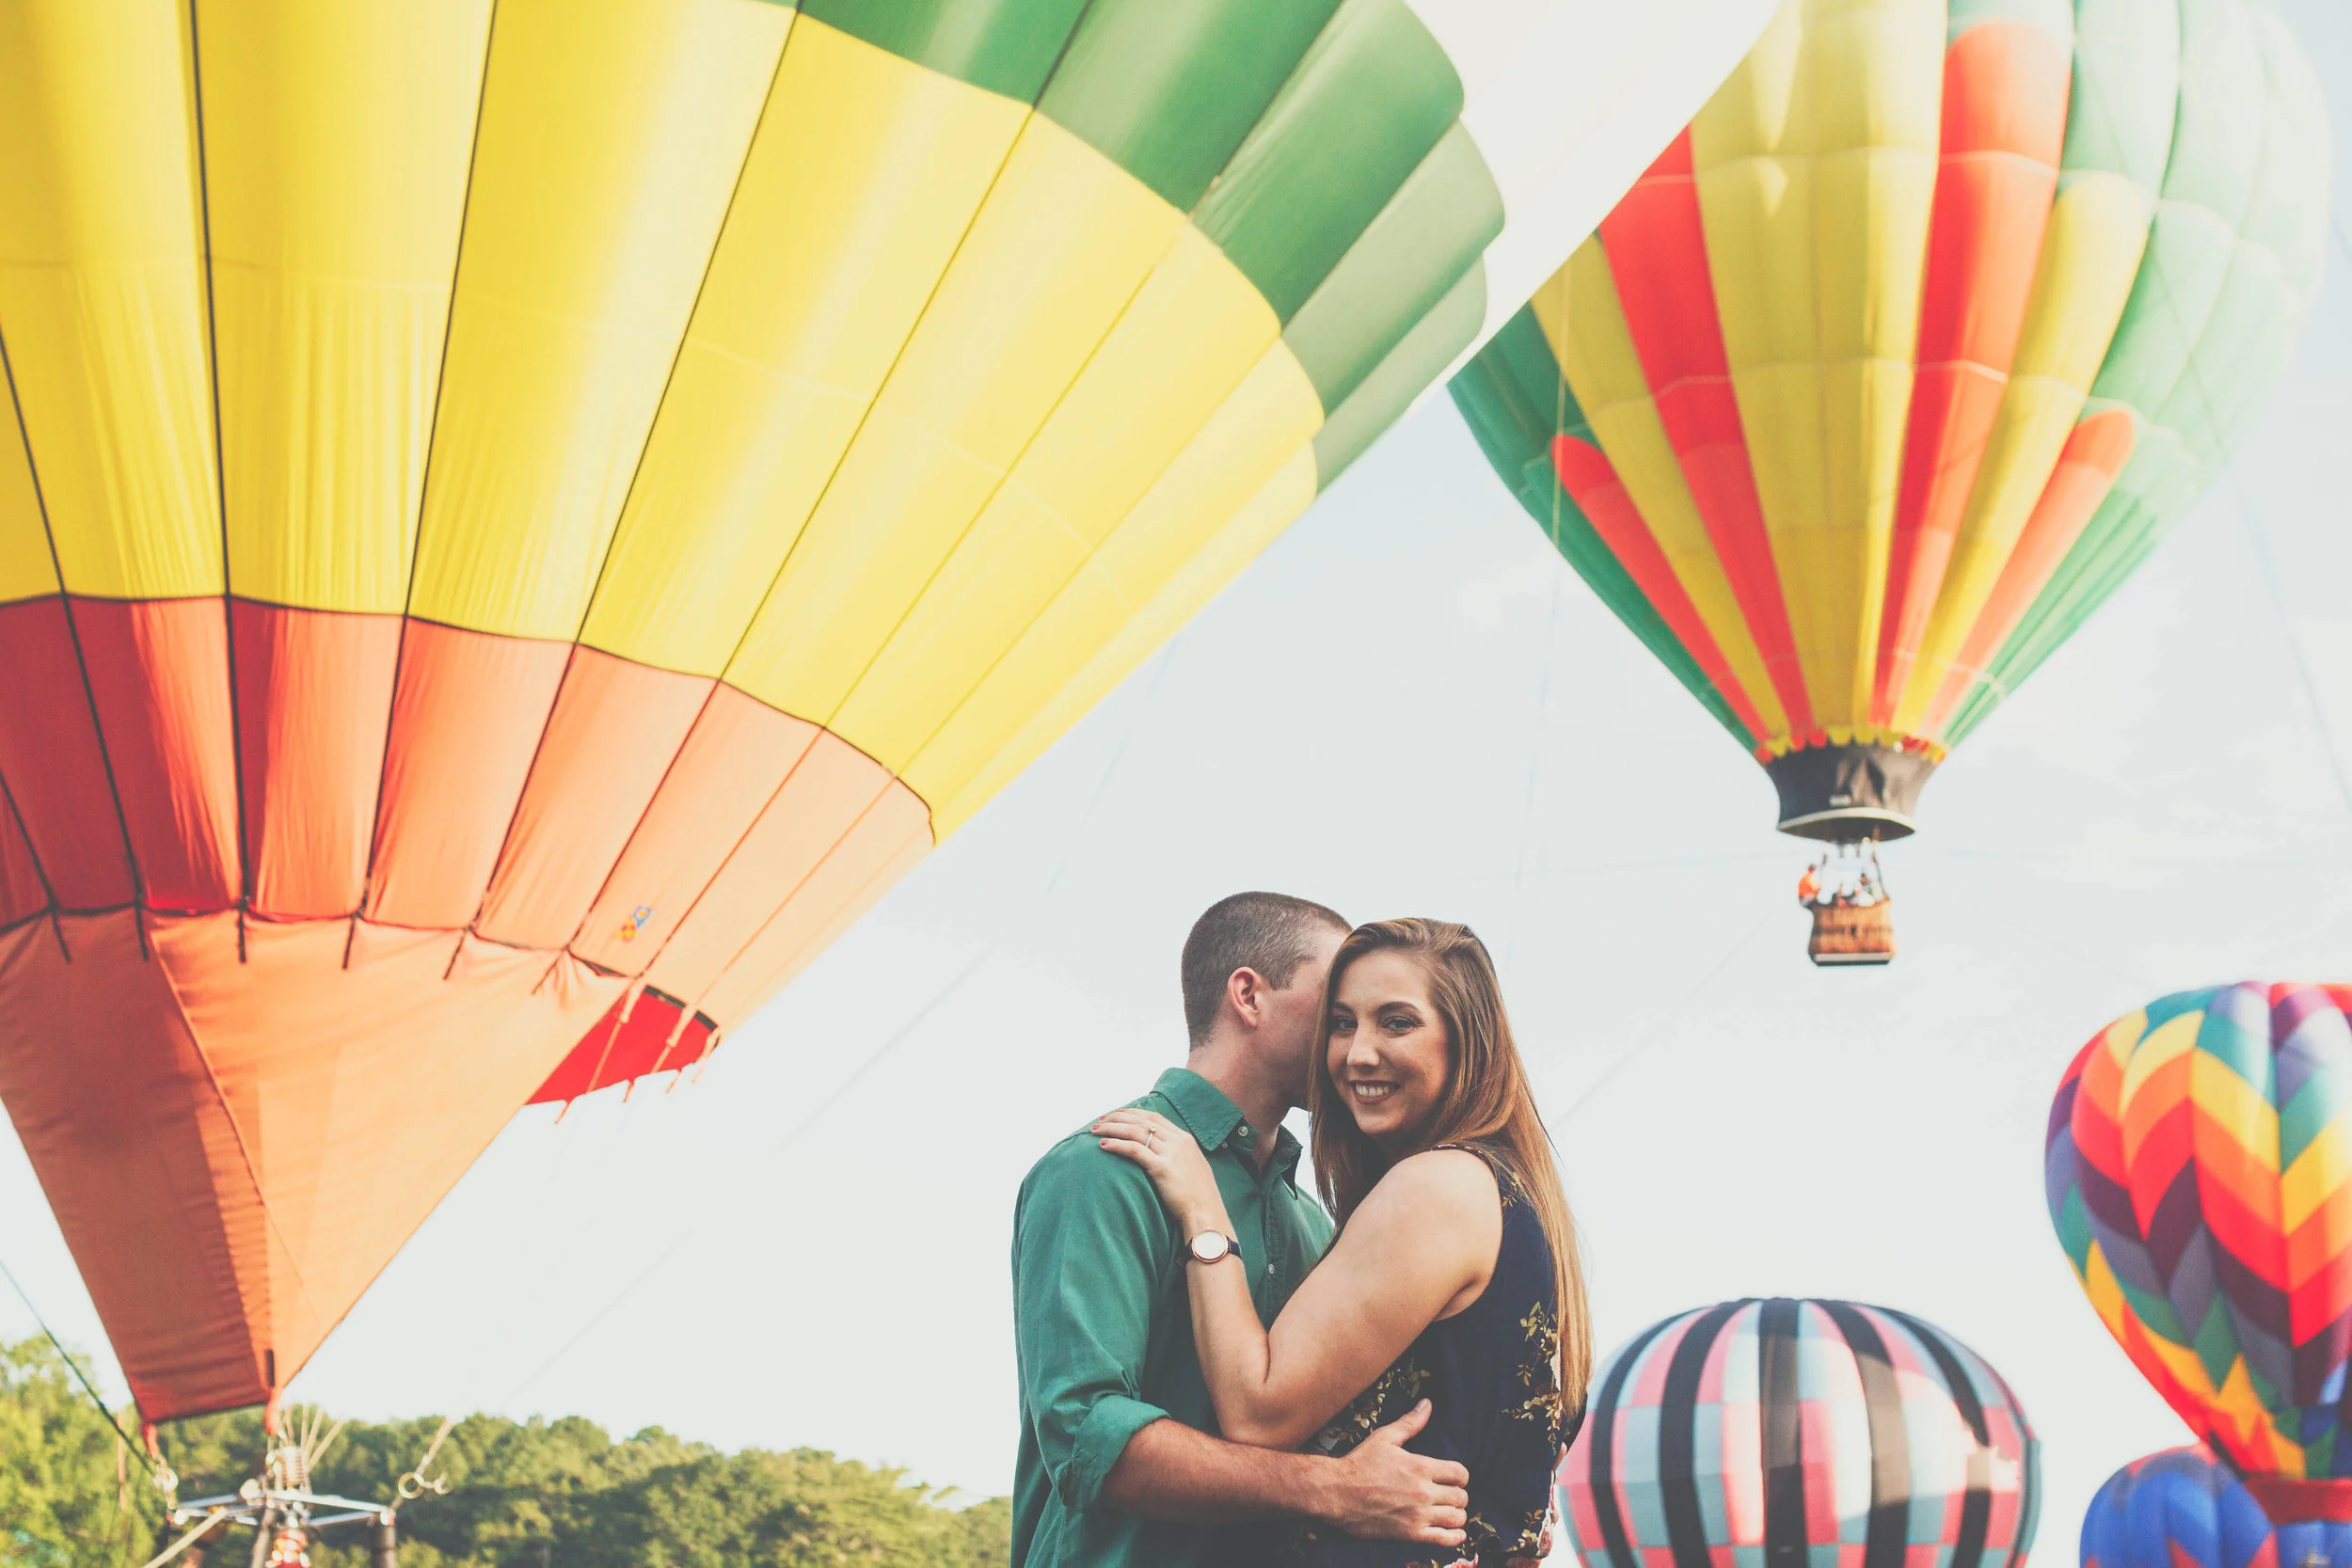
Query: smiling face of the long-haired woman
point(1389, 1050)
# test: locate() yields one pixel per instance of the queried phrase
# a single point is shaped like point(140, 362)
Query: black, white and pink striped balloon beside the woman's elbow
point(1800, 1428)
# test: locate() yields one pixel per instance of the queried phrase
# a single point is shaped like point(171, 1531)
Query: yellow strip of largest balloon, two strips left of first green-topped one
point(338, 145)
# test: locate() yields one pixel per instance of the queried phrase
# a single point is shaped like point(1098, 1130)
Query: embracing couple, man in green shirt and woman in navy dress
point(1208, 1374)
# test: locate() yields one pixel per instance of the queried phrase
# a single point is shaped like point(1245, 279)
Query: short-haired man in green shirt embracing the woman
point(1121, 1463)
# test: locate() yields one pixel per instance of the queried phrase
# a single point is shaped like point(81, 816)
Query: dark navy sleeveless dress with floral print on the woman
point(1495, 1407)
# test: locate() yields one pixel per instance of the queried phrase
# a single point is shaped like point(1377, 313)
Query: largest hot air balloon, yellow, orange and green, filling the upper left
point(519, 523)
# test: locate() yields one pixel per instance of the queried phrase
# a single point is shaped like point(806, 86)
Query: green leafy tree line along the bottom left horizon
point(521, 1494)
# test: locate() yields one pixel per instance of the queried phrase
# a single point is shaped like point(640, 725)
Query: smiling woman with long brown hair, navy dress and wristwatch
point(1455, 1273)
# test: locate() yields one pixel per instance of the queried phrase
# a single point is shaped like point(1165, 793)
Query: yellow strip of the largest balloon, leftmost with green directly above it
point(820, 279)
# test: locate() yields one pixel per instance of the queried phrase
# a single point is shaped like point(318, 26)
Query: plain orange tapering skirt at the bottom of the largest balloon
point(243, 1111)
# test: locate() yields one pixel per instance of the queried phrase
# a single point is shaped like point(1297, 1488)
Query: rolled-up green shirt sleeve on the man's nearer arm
point(1090, 1247)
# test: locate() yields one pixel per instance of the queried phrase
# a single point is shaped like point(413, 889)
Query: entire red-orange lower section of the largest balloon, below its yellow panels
point(469, 862)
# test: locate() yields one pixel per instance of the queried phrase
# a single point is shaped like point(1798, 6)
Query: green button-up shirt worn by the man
point(1104, 1325)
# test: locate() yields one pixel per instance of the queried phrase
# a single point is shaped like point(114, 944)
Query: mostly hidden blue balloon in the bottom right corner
point(2186, 1510)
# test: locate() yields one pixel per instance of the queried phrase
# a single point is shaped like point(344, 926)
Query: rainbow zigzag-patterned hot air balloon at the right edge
point(2200, 1179)
